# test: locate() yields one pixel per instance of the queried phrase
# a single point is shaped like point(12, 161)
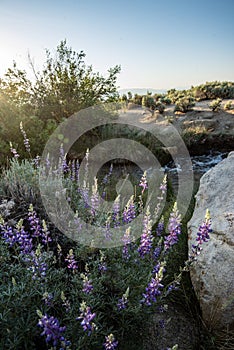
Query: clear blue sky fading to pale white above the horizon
point(159, 44)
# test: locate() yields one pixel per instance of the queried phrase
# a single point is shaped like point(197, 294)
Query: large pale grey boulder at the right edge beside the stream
point(213, 274)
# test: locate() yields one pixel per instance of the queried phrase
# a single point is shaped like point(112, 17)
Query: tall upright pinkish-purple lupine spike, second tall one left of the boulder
point(146, 237)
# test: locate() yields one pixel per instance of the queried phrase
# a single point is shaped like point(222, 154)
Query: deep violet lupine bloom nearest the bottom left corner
point(51, 329)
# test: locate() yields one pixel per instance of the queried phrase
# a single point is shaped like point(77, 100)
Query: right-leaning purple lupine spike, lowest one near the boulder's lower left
point(153, 288)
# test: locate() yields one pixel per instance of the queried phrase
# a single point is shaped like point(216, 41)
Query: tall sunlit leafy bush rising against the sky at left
point(63, 87)
